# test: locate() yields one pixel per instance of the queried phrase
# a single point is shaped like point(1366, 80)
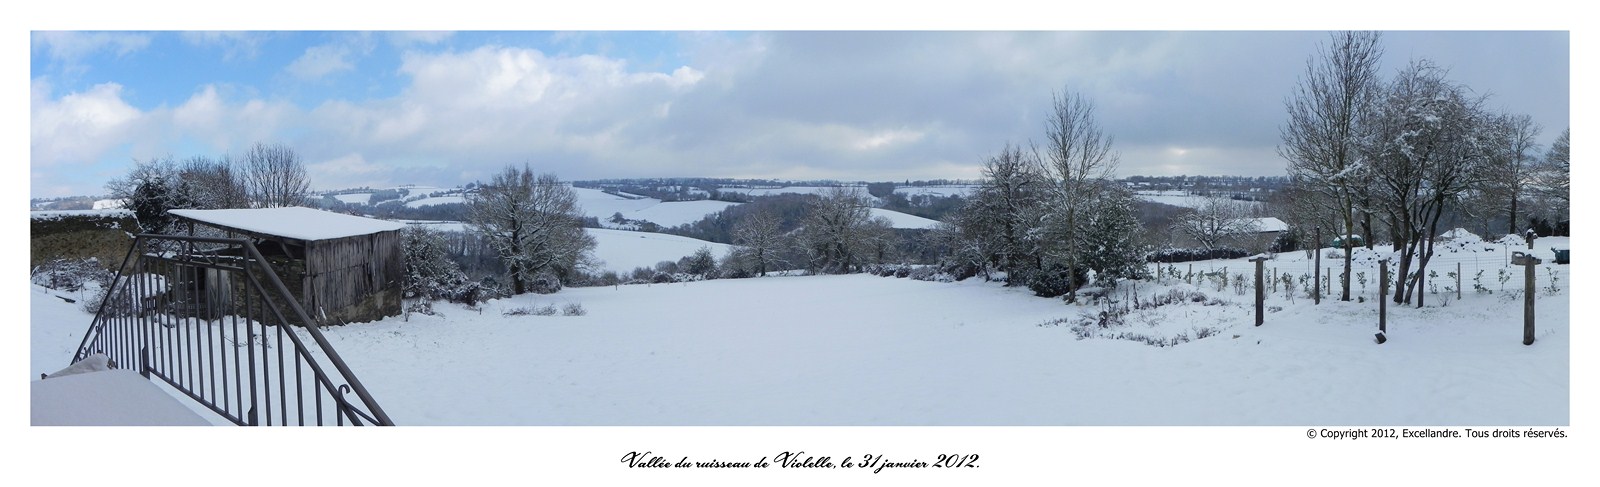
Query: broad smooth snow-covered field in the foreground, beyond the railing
point(863, 350)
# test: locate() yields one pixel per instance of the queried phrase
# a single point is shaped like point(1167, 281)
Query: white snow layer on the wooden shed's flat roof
point(292, 222)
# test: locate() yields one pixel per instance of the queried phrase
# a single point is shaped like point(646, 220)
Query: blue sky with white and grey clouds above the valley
point(449, 108)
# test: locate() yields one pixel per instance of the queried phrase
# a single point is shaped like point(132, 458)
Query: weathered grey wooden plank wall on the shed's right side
point(343, 273)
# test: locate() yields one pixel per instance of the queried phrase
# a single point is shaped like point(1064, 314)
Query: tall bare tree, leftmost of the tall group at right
point(1322, 137)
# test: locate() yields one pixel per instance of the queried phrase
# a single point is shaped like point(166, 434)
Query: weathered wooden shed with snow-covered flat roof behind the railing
point(342, 268)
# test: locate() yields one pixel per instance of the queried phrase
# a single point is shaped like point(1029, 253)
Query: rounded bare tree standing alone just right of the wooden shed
point(534, 223)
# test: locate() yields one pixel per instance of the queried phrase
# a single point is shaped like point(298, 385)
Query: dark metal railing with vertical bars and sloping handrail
point(161, 308)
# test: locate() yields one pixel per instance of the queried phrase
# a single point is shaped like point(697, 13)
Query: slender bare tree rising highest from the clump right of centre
point(1078, 158)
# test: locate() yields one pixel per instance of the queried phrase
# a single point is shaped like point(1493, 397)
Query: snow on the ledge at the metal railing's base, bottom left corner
point(106, 398)
